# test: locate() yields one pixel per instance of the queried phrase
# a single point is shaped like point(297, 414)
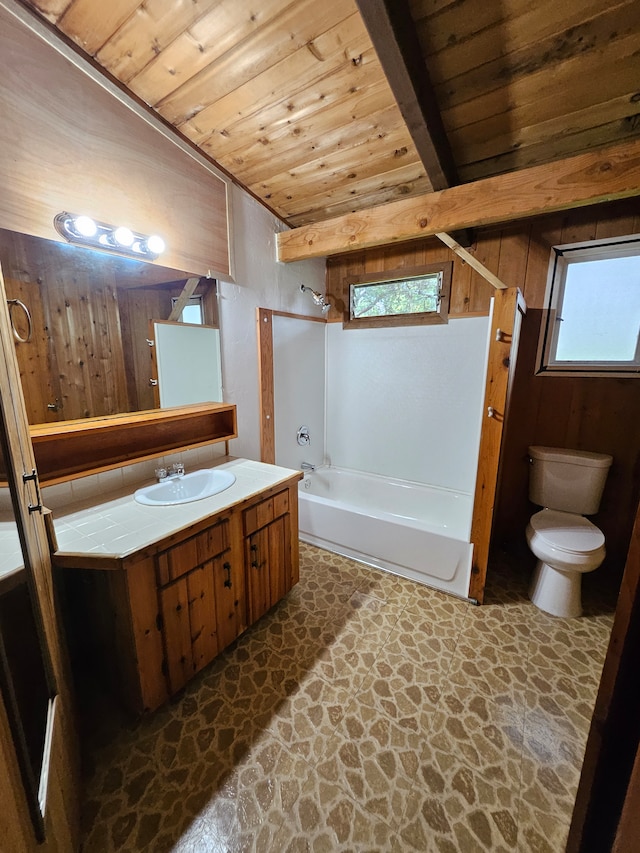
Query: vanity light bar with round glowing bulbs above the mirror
point(85, 231)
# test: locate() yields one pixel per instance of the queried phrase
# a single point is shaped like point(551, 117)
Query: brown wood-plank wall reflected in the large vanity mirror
point(81, 320)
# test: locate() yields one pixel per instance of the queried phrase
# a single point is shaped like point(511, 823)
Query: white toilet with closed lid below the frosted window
point(569, 485)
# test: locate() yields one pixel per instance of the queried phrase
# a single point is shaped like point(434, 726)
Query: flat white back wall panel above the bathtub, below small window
point(405, 402)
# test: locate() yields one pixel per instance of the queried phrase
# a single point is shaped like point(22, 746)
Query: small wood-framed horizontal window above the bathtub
point(400, 297)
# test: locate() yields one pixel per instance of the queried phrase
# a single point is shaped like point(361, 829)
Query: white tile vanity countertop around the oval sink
point(117, 526)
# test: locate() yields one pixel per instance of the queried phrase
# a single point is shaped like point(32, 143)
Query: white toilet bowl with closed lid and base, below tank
point(567, 546)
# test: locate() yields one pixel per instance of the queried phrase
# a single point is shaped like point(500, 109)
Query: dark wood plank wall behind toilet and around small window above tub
point(590, 414)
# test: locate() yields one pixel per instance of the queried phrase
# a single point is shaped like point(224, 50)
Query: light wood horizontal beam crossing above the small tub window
point(591, 178)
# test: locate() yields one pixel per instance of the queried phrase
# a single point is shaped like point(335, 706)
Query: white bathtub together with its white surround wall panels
point(403, 418)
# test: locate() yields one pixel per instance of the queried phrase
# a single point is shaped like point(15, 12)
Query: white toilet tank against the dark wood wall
point(568, 480)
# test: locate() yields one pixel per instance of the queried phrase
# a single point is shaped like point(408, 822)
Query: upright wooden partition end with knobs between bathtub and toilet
point(508, 309)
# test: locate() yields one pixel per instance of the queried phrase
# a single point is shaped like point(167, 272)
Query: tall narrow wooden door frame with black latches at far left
point(45, 819)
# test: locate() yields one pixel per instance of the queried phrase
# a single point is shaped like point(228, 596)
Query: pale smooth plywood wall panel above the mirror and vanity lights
point(67, 144)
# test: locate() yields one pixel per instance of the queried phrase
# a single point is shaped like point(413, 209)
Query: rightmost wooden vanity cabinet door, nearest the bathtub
point(268, 566)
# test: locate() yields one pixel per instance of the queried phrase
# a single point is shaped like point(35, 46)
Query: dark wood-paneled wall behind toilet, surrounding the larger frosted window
point(591, 413)
